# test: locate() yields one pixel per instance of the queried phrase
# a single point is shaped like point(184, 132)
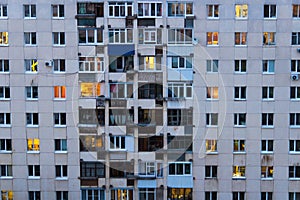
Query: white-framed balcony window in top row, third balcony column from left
point(149, 9)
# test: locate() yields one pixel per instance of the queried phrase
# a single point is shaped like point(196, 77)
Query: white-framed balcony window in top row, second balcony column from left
point(120, 9)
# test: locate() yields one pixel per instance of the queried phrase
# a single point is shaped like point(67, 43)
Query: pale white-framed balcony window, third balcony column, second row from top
point(150, 36)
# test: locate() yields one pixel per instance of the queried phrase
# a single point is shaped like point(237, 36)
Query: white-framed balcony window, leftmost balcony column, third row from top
point(91, 64)
